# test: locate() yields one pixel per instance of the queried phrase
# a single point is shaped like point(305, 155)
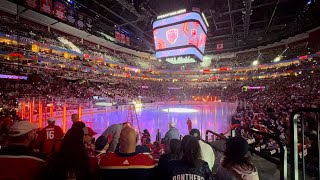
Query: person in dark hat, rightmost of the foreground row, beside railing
point(235, 164)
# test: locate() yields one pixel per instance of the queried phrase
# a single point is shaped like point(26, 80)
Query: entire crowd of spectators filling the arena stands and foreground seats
point(115, 154)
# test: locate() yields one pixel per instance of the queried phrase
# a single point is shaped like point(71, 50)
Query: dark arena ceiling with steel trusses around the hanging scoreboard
point(239, 24)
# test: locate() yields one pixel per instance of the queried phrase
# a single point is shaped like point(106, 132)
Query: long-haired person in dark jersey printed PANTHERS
point(190, 165)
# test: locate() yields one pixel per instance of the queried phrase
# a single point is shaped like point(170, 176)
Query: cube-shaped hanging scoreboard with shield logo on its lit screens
point(180, 35)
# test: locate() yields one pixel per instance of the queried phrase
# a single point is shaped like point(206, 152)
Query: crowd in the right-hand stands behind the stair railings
point(269, 111)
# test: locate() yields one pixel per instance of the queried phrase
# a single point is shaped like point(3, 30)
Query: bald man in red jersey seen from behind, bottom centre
point(127, 164)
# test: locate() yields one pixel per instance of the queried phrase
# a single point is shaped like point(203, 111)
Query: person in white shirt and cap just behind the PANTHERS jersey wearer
point(207, 153)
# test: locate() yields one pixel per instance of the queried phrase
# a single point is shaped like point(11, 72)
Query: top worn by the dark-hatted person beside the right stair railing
point(237, 173)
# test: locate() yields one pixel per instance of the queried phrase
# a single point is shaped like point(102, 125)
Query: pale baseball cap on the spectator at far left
point(20, 128)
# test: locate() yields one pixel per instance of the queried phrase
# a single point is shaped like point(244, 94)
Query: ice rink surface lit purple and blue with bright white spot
point(214, 116)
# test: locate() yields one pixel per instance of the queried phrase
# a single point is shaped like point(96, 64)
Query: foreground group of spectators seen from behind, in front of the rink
point(117, 154)
